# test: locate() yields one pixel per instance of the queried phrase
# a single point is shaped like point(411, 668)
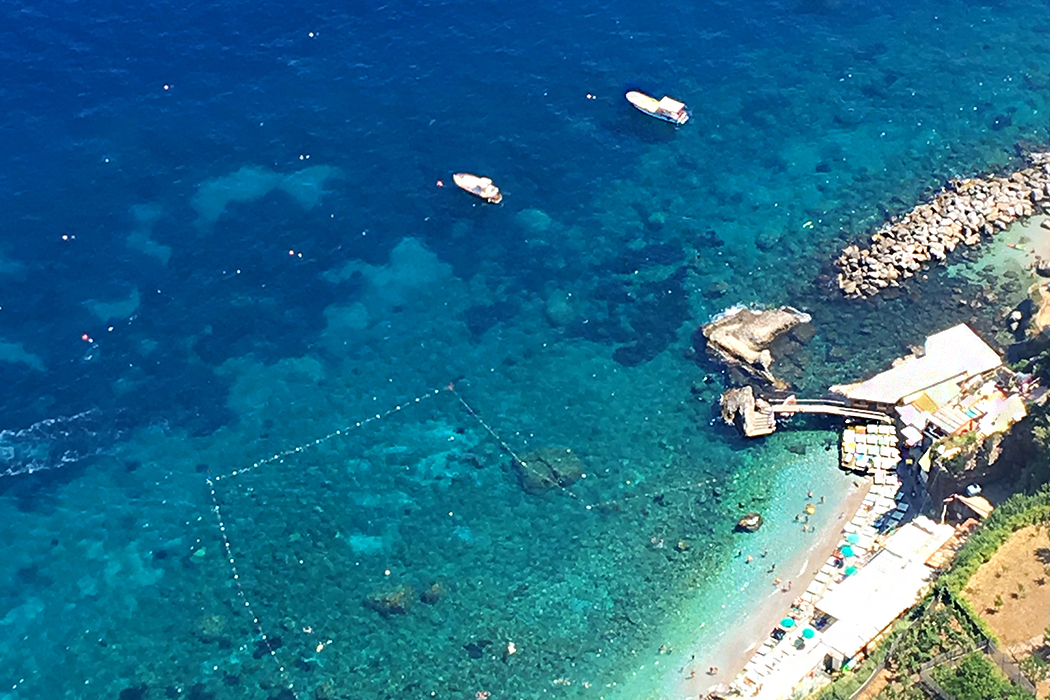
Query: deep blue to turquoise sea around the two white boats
point(238, 208)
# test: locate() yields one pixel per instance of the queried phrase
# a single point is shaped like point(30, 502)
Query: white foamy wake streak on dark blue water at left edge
point(53, 443)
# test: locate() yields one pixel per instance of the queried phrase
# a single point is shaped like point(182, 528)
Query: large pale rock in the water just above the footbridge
point(742, 337)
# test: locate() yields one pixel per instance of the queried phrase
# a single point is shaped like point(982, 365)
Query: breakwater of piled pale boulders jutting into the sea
point(961, 215)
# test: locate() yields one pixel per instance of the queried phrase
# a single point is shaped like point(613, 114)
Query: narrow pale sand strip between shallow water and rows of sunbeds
point(739, 643)
